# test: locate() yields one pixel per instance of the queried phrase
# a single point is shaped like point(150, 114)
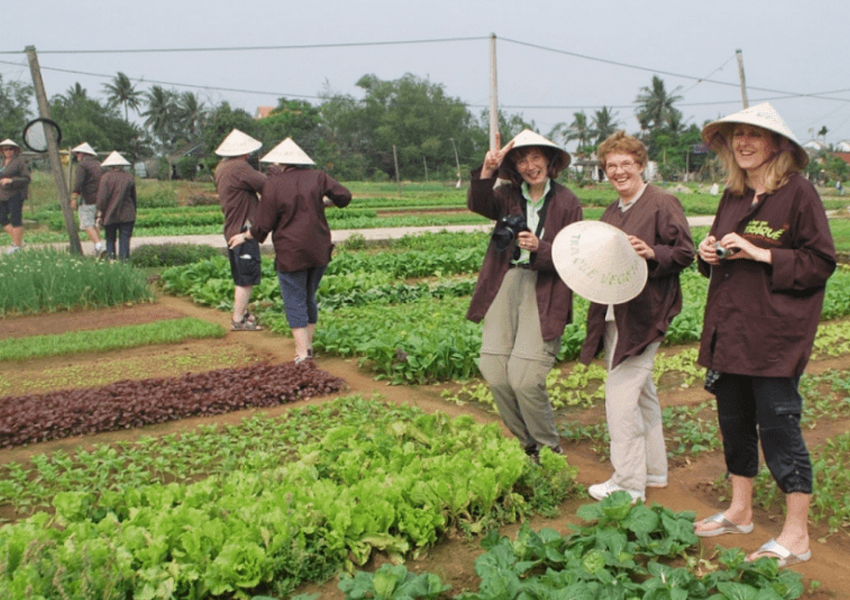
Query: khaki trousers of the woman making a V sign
point(515, 361)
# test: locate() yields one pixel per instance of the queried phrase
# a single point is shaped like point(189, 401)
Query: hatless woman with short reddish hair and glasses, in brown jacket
point(630, 333)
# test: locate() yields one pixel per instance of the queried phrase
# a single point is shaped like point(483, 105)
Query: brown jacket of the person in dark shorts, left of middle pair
point(237, 184)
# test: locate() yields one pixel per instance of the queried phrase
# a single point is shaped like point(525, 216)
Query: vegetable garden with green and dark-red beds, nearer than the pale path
point(331, 486)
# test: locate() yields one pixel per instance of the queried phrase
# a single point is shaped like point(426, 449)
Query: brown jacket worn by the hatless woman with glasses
point(658, 219)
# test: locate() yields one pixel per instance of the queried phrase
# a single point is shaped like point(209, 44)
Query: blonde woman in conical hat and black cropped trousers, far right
point(768, 255)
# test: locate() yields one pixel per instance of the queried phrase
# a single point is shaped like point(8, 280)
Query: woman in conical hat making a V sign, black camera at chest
point(522, 302)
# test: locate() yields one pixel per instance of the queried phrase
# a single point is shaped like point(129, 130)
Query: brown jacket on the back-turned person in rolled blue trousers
point(293, 211)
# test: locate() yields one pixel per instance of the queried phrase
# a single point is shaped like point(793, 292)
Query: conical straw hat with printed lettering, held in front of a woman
point(597, 261)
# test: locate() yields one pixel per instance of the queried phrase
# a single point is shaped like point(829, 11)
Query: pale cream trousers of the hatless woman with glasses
point(634, 417)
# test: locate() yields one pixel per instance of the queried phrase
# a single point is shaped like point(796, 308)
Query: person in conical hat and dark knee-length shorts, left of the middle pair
point(238, 185)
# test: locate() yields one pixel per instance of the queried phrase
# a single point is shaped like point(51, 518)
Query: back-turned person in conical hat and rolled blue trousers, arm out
point(293, 211)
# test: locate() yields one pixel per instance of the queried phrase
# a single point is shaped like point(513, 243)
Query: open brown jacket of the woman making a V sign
point(554, 298)
